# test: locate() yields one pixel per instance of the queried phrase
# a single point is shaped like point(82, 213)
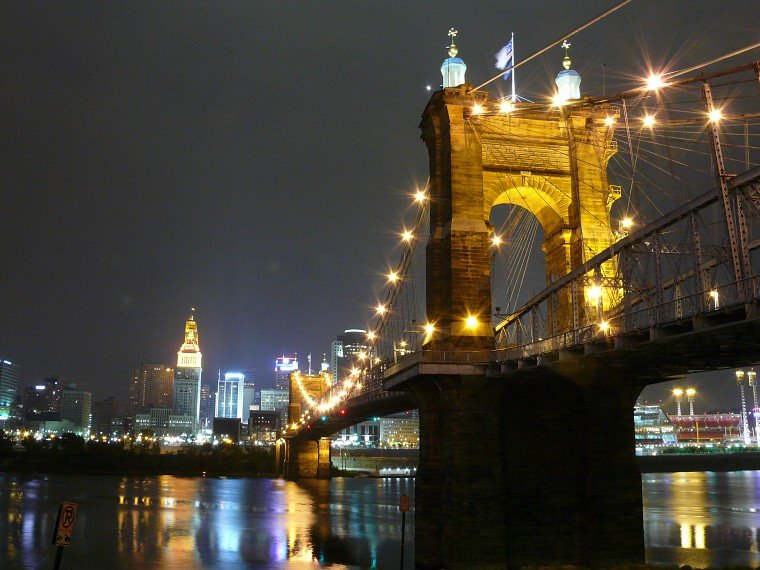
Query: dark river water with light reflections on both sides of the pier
point(708, 520)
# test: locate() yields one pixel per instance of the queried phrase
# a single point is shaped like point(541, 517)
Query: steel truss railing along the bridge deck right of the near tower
point(676, 268)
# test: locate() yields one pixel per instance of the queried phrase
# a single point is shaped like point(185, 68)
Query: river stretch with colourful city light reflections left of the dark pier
point(158, 522)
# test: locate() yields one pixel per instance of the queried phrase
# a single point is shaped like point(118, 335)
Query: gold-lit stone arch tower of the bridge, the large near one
point(552, 162)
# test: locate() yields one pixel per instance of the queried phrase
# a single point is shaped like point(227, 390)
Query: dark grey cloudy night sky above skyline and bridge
point(253, 160)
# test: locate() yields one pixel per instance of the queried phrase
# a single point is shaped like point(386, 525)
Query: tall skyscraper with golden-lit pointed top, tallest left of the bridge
point(187, 375)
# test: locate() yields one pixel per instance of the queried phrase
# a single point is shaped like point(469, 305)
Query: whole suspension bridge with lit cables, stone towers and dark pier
point(579, 248)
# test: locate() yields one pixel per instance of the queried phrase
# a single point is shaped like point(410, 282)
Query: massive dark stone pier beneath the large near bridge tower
point(533, 469)
